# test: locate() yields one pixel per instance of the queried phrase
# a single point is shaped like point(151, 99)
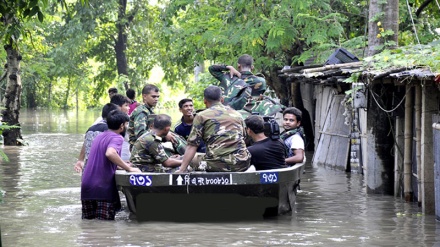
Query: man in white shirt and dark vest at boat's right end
point(293, 136)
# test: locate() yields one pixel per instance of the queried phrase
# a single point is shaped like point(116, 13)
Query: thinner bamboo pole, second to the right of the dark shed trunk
point(418, 128)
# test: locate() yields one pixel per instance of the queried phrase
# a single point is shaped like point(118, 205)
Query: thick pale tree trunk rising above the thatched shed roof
point(388, 16)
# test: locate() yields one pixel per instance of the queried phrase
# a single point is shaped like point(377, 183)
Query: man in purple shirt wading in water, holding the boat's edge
point(99, 195)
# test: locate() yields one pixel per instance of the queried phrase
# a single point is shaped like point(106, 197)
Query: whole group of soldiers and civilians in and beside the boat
point(216, 139)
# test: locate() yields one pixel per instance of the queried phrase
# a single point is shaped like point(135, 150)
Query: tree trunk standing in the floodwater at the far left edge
point(12, 98)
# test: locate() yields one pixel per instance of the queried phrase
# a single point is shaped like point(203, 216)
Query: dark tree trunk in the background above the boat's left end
point(121, 42)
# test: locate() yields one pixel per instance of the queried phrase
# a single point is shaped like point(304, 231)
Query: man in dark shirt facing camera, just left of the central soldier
point(184, 126)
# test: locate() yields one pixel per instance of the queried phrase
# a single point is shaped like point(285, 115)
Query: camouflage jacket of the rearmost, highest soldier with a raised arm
point(257, 83)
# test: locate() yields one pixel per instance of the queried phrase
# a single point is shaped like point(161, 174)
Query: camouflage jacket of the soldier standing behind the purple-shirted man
point(140, 120)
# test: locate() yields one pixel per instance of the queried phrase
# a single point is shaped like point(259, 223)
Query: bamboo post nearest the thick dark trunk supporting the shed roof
point(407, 146)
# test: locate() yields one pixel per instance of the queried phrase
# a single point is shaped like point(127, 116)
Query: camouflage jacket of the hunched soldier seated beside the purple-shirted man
point(148, 153)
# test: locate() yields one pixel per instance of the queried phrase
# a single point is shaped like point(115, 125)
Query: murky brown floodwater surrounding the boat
point(40, 205)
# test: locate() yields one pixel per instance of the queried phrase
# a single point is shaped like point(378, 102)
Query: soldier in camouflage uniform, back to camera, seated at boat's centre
point(222, 130)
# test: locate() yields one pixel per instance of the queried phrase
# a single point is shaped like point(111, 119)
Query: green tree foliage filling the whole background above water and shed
point(69, 59)
